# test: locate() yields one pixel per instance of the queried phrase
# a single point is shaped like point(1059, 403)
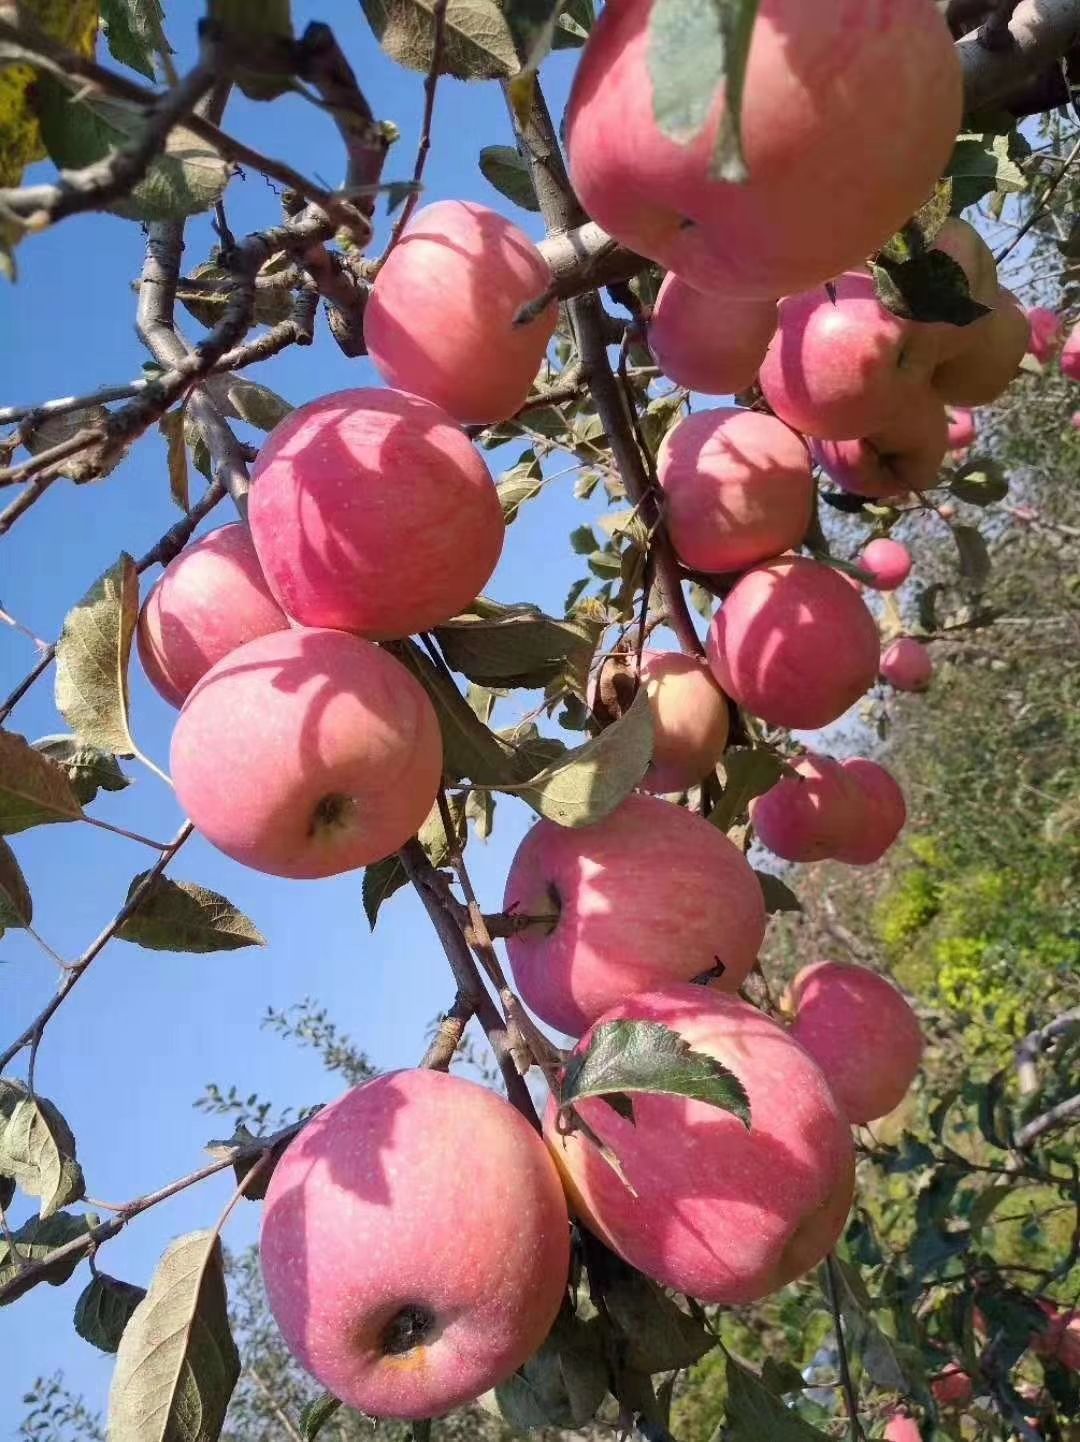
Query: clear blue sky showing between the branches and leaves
point(145, 1032)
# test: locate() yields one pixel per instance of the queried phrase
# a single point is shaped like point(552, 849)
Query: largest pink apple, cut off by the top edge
point(850, 113)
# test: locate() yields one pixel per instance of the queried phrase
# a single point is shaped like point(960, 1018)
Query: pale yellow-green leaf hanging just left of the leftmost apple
point(93, 658)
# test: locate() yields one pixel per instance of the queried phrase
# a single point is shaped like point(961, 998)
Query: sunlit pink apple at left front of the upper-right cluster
point(841, 366)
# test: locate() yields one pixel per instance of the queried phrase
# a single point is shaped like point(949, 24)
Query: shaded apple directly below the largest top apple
point(709, 342)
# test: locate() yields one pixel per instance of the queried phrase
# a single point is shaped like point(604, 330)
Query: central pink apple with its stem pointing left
point(615, 890)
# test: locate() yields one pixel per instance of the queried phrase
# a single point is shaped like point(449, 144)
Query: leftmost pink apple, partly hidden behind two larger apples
point(210, 601)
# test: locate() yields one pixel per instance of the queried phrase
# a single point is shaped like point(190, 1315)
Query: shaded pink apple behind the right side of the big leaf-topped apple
point(862, 1033)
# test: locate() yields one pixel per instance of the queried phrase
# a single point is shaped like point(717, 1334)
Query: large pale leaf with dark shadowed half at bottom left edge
point(178, 1363)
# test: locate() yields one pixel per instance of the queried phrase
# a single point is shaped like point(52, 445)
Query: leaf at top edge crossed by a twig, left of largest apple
point(478, 43)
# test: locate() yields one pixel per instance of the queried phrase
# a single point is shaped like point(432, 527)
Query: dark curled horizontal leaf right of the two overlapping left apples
point(518, 647)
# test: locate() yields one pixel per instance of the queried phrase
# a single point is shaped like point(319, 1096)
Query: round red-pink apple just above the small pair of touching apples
point(794, 644)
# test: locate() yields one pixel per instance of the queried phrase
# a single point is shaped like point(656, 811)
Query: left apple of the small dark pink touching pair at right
point(810, 817)
